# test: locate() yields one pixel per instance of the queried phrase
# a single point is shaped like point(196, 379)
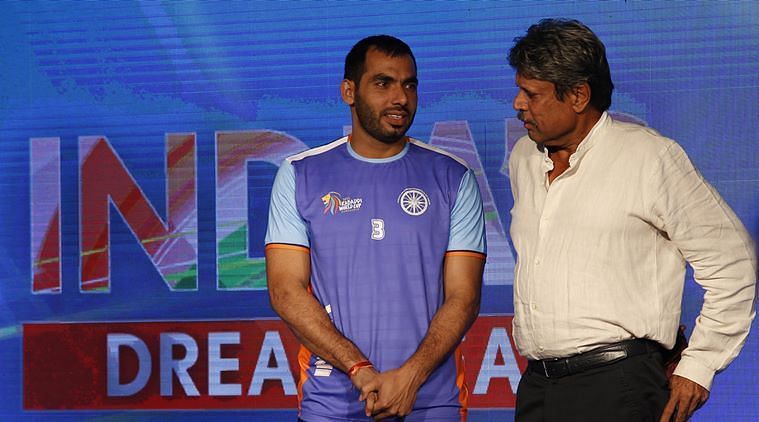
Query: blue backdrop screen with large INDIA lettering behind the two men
point(139, 142)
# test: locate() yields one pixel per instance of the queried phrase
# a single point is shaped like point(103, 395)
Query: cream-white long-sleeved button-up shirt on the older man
point(601, 250)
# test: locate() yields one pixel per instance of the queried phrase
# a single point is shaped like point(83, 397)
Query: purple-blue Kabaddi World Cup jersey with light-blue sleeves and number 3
point(377, 231)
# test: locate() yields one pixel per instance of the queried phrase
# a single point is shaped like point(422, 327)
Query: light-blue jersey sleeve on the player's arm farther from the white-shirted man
point(285, 223)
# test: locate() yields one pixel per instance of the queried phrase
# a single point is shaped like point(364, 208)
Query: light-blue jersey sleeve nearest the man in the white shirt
point(467, 218)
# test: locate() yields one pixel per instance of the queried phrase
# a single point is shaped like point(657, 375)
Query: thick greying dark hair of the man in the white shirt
point(566, 53)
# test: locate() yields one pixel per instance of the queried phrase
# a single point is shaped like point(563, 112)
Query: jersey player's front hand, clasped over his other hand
point(396, 393)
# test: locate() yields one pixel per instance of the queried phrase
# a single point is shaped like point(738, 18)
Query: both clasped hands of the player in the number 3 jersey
point(387, 394)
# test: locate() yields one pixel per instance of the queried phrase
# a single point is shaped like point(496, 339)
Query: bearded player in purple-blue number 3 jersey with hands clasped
point(374, 256)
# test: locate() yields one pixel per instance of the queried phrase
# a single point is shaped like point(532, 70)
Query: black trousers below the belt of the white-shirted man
point(633, 389)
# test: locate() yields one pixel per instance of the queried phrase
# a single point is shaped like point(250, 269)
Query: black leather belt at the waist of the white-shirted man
point(561, 367)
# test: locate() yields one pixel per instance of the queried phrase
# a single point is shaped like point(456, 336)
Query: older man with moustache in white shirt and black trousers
point(605, 216)
